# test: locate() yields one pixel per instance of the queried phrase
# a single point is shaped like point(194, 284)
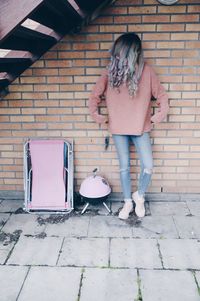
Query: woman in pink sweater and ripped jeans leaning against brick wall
point(128, 85)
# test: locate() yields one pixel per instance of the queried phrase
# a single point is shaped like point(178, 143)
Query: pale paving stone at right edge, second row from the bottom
point(180, 253)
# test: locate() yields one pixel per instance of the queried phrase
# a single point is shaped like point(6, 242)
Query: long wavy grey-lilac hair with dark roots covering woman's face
point(127, 62)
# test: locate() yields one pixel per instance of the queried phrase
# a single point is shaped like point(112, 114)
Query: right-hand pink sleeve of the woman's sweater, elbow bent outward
point(161, 97)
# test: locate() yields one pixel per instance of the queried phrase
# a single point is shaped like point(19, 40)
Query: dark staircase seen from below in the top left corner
point(55, 18)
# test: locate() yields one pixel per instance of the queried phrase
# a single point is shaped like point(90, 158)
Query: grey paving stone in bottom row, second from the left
point(51, 284)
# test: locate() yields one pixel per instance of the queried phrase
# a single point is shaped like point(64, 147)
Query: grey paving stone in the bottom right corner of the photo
point(163, 285)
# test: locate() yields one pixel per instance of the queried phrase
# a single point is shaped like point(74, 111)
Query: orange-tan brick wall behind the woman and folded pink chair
point(50, 99)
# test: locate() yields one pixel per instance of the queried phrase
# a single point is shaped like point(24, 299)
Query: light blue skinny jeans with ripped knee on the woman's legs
point(143, 147)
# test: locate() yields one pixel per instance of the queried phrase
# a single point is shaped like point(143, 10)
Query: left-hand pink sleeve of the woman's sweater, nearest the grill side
point(95, 98)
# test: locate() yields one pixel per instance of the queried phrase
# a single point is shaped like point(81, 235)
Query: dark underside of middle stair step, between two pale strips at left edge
point(27, 39)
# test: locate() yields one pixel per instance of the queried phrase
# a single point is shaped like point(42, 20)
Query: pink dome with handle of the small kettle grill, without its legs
point(94, 187)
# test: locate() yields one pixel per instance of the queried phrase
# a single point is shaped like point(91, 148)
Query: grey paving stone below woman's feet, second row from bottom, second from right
point(134, 253)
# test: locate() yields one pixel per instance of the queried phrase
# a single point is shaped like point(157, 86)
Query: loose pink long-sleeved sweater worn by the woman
point(130, 115)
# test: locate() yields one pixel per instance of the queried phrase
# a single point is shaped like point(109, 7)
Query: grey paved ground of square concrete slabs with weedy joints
point(97, 257)
